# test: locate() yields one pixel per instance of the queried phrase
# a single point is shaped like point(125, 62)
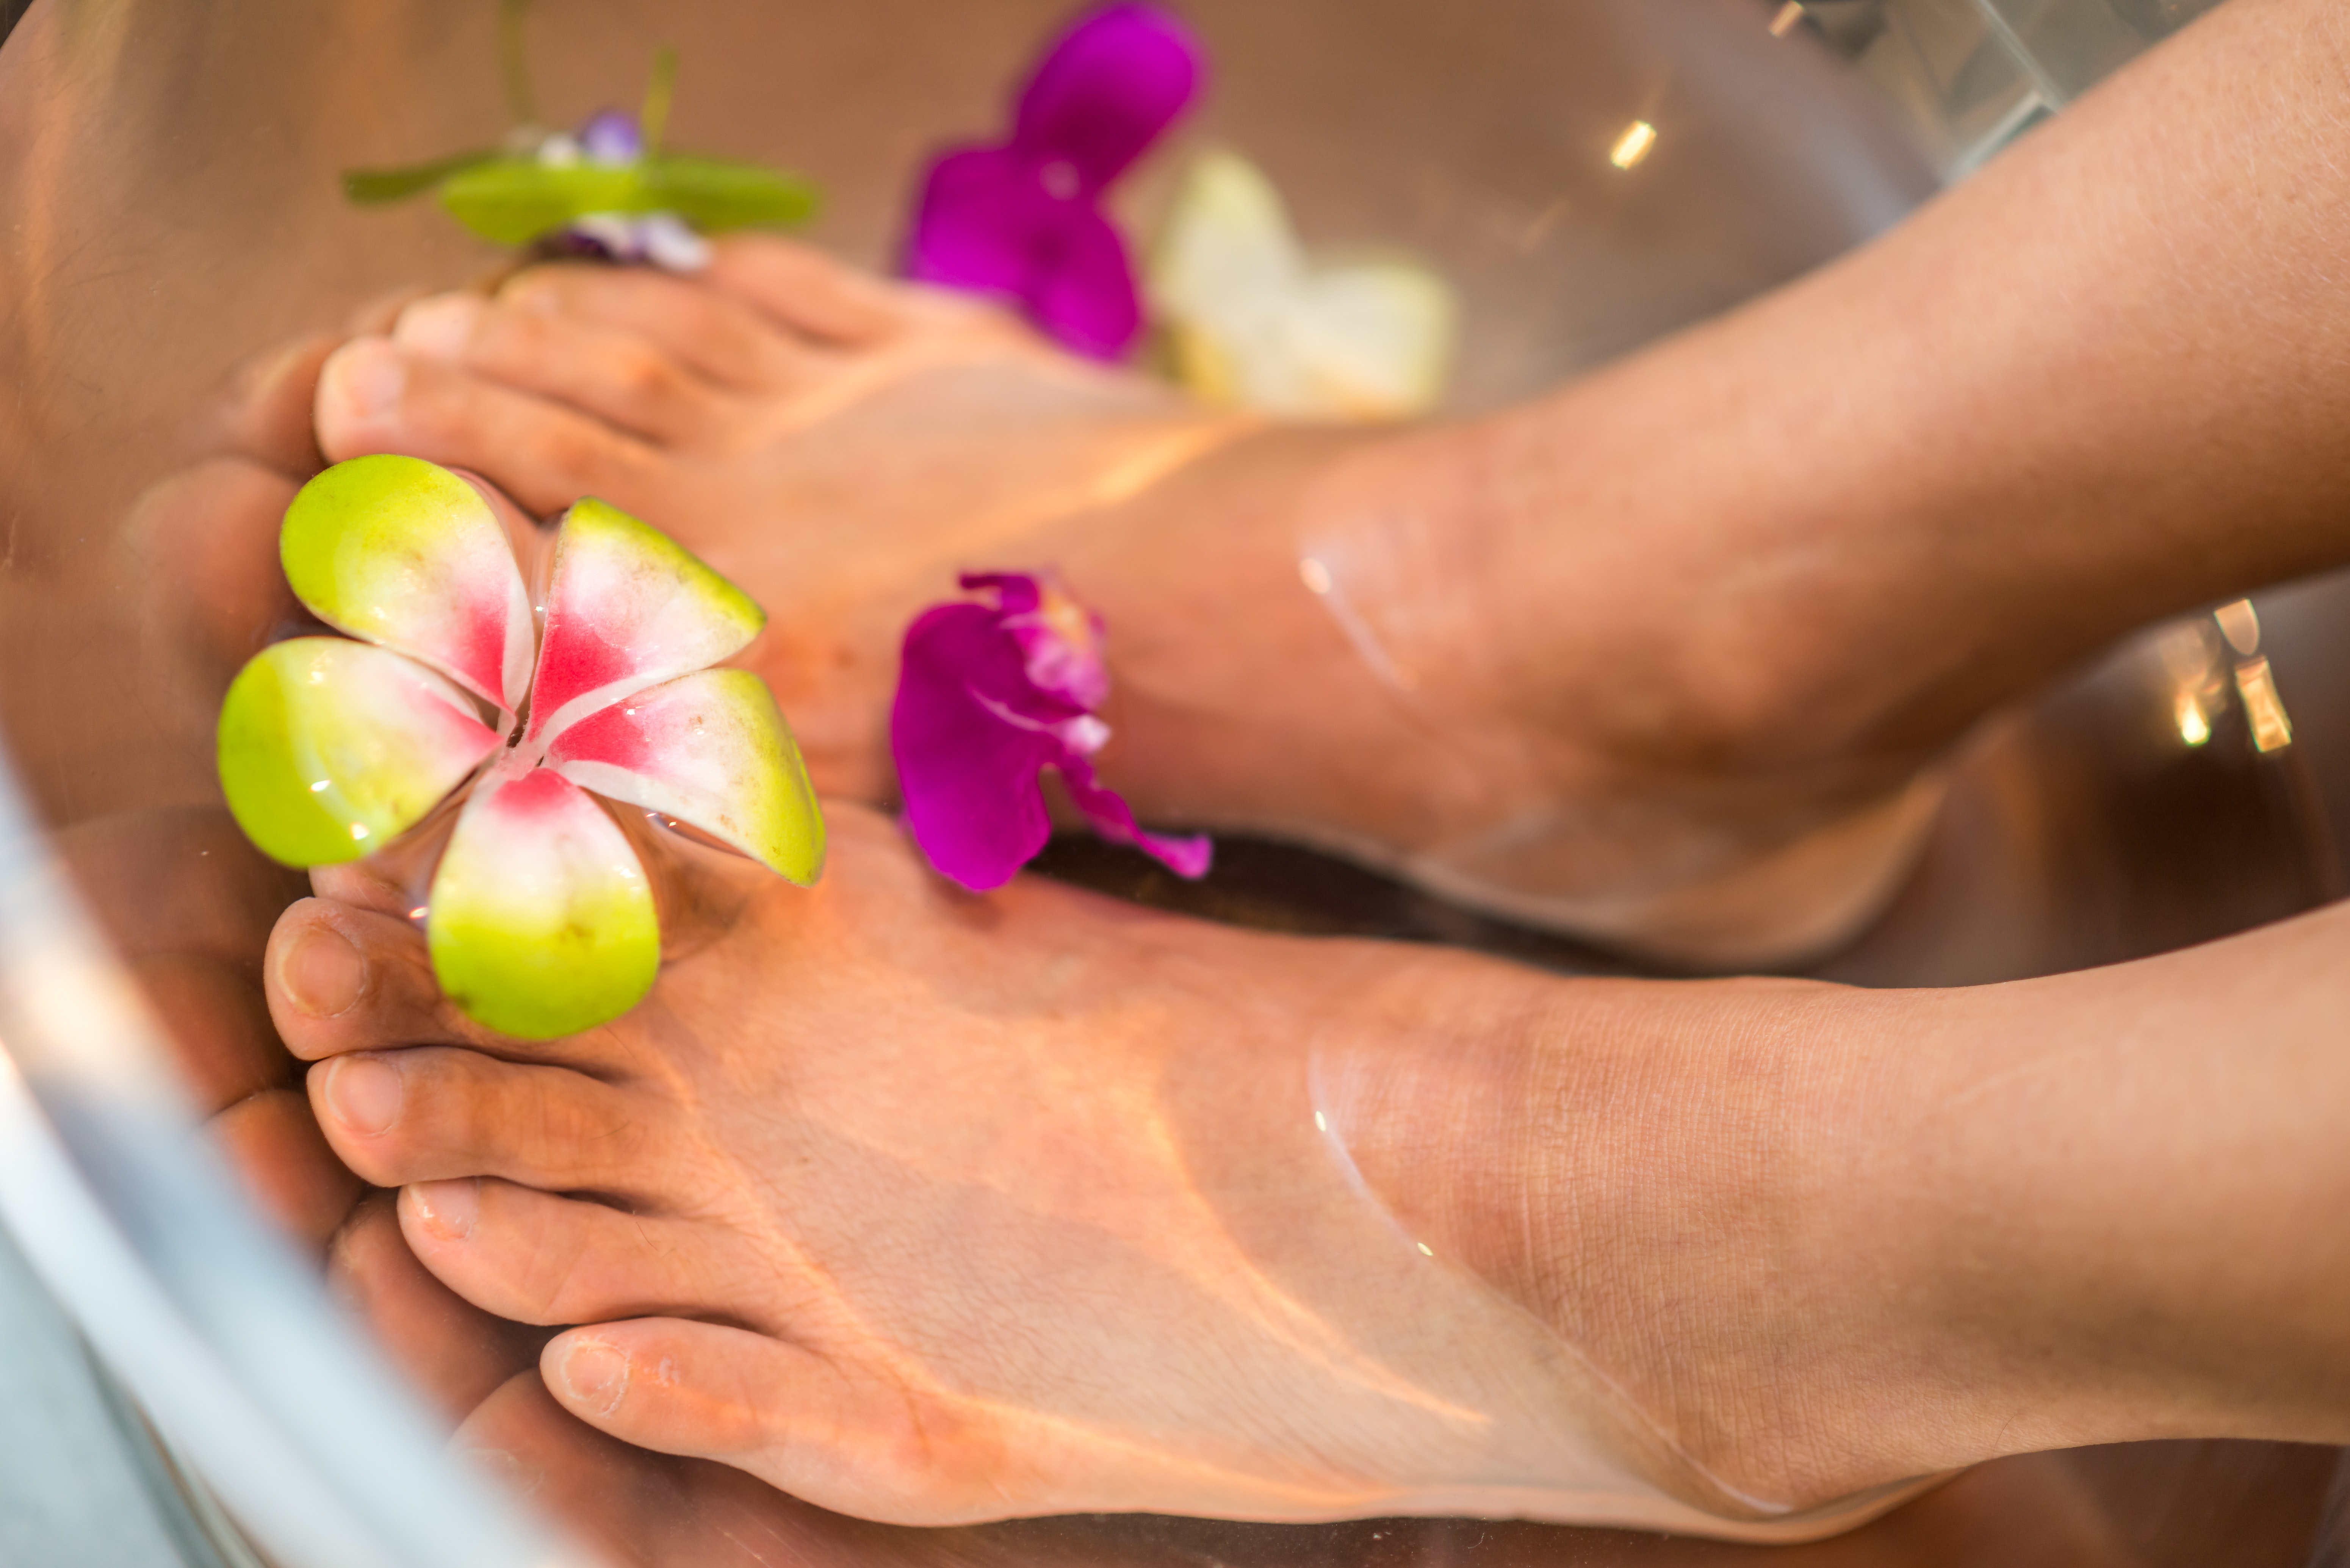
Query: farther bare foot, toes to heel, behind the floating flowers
point(845, 445)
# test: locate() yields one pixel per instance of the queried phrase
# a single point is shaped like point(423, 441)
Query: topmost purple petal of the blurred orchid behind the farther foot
point(1108, 91)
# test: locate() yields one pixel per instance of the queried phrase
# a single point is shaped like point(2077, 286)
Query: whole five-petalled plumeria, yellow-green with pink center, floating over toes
point(539, 918)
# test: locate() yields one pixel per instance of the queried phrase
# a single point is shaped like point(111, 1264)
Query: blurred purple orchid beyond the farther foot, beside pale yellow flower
point(1026, 217)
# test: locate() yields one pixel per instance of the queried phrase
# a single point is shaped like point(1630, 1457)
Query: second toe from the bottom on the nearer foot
point(542, 1259)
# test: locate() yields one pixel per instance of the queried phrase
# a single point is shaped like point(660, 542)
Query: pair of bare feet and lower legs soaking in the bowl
point(934, 1205)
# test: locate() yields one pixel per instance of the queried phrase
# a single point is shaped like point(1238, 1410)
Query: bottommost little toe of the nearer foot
point(791, 1416)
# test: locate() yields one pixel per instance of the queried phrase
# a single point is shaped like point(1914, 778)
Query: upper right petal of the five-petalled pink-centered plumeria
point(629, 608)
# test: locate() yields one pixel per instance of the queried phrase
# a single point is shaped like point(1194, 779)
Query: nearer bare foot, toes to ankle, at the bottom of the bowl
point(936, 1209)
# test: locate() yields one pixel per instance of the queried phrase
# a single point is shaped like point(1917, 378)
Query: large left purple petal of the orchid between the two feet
point(965, 770)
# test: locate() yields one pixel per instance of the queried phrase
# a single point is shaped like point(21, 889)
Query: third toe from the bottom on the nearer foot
point(429, 1115)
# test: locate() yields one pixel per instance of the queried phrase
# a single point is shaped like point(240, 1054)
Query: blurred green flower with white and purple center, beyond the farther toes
point(605, 192)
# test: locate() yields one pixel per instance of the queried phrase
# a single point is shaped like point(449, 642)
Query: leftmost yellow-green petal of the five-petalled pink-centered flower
point(333, 749)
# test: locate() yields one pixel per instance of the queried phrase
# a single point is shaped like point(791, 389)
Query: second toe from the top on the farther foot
point(716, 335)
